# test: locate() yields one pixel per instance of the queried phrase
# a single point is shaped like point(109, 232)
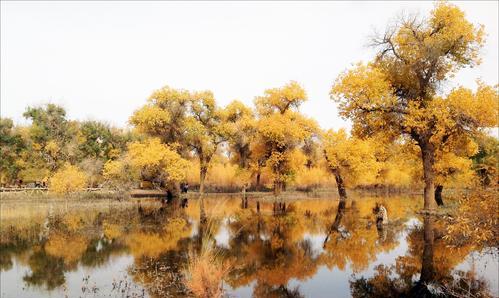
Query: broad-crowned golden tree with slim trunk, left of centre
point(190, 120)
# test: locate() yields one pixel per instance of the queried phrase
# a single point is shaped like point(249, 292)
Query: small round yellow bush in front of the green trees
point(69, 179)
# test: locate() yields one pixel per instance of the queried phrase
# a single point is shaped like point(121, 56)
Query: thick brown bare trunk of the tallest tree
point(428, 156)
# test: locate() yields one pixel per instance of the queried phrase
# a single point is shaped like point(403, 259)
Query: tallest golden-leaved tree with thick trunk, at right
point(397, 93)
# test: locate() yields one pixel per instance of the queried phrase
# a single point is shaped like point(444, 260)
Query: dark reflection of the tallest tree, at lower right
point(435, 264)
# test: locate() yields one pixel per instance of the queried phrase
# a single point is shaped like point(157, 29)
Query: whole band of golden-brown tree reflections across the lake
point(275, 255)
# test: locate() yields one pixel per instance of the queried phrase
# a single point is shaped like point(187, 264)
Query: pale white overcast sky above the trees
point(101, 60)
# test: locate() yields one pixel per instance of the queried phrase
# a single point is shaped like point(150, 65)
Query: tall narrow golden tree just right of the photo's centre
point(281, 128)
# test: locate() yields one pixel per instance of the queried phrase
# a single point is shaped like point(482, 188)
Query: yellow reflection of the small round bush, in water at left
point(70, 248)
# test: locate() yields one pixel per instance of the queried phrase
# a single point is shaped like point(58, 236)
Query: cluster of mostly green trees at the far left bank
point(33, 153)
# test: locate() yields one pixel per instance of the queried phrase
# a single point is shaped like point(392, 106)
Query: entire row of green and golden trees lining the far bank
point(404, 127)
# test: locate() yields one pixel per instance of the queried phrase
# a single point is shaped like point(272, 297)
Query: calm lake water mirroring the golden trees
point(316, 249)
